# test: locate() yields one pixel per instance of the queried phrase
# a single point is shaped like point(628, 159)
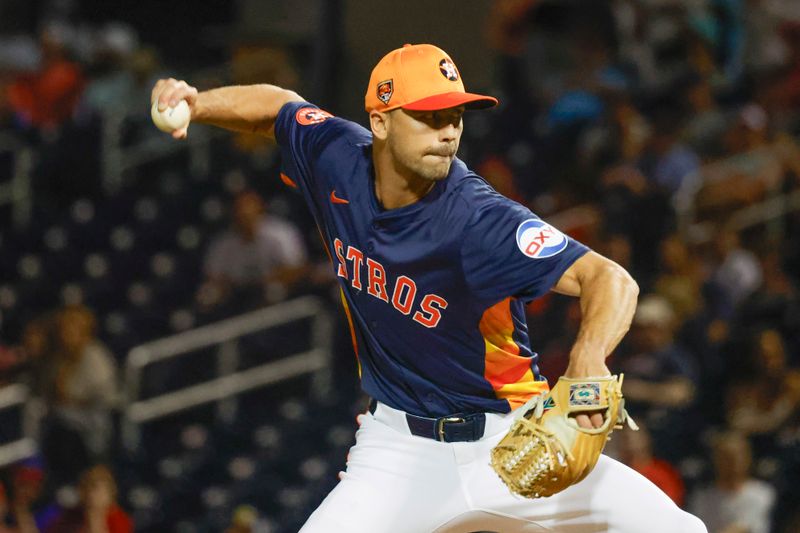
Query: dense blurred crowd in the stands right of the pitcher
point(665, 135)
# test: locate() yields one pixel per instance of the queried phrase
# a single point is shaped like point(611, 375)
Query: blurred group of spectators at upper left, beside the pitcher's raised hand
point(56, 90)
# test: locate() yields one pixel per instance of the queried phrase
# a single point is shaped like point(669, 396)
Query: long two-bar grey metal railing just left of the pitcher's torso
point(228, 382)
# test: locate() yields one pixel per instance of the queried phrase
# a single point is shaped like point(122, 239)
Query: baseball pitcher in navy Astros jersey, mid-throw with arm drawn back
point(435, 269)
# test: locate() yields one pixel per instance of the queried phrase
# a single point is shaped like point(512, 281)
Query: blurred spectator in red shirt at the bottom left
point(97, 511)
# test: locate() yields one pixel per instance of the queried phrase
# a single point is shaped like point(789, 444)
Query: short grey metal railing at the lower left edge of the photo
point(17, 396)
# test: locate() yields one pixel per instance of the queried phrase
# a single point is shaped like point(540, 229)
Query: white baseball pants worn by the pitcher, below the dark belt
point(400, 483)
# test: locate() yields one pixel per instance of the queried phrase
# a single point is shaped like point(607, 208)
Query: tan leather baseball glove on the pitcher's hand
point(545, 451)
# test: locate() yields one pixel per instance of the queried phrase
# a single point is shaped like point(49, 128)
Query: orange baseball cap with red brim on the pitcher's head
point(419, 77)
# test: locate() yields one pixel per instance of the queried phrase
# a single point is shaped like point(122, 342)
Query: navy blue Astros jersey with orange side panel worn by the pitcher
point(435, 290)
